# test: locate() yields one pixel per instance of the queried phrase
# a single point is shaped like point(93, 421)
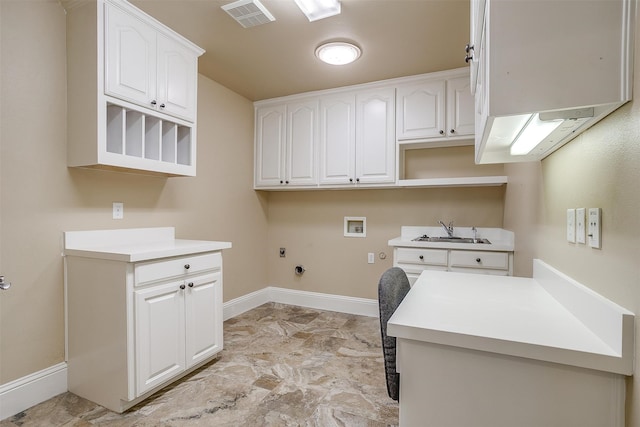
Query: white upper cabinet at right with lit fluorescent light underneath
point(558, 63)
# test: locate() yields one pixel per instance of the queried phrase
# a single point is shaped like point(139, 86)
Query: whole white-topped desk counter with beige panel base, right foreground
point(511, 351)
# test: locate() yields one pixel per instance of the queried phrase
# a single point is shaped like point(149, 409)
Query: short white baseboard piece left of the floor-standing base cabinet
point(28, 391)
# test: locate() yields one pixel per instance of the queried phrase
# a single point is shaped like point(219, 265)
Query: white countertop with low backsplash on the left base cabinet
point(136, 244)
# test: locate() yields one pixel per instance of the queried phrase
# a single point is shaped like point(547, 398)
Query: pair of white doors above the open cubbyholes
point(148, 68)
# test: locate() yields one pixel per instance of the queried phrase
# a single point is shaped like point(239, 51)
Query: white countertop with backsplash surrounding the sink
point(501, 240)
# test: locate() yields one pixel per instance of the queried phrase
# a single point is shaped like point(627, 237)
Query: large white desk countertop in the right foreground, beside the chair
point(518, 317)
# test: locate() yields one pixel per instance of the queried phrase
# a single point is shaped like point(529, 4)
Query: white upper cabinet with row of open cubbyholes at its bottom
point(131, 91)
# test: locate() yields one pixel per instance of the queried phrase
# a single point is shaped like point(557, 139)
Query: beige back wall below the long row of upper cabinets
point(310, 226)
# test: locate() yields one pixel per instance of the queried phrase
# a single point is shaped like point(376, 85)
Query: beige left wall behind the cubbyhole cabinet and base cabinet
point(40, 197)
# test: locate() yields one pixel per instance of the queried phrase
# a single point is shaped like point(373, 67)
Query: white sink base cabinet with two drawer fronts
point(415, 260)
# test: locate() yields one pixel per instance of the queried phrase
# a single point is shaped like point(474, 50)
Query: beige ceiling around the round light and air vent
point(397, 37)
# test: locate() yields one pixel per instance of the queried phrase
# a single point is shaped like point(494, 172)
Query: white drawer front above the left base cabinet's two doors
point(175, 267)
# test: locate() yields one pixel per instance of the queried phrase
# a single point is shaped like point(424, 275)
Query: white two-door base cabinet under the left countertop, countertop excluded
point(133, 327)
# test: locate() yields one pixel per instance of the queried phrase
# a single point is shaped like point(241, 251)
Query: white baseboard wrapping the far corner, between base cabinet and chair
point(343, 304)
